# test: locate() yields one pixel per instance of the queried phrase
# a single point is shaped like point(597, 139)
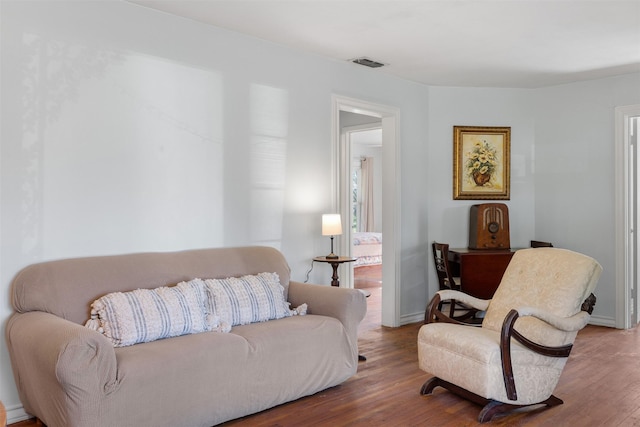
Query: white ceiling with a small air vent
point(477, 43)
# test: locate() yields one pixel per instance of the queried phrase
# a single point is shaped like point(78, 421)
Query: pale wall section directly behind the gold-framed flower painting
point(448, 107)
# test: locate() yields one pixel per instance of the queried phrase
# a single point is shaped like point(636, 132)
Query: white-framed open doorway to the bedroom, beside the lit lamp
point(383, 120)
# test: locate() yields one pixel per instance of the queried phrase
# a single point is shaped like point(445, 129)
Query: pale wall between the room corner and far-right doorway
point(574, 173)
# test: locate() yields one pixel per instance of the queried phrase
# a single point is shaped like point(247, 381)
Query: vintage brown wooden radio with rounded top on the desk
point(489, 226)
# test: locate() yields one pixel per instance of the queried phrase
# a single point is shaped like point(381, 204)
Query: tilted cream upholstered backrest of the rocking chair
point(552, 279)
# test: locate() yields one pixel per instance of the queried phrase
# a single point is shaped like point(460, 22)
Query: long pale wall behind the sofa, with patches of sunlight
point(125, 129)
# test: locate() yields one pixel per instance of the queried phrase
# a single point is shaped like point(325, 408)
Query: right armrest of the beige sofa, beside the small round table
point(347, 305)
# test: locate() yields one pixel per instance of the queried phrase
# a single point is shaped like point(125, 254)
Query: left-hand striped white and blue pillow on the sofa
point(145, 315)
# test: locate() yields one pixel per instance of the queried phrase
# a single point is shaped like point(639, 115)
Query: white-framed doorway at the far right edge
point(627, 128)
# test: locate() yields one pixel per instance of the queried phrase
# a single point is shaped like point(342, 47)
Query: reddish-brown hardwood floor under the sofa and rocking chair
point(600, 386)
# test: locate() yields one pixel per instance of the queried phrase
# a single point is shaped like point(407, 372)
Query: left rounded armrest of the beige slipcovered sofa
point(54, 359)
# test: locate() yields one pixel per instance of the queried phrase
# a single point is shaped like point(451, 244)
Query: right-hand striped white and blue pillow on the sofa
point(247, 299)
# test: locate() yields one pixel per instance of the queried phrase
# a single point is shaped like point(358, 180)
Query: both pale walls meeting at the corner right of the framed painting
point(562, 167)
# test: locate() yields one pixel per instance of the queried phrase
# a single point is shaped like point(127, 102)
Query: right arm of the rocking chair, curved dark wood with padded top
point(570, 324)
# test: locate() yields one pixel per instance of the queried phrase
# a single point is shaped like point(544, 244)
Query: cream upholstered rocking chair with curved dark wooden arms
point(517, 355)
